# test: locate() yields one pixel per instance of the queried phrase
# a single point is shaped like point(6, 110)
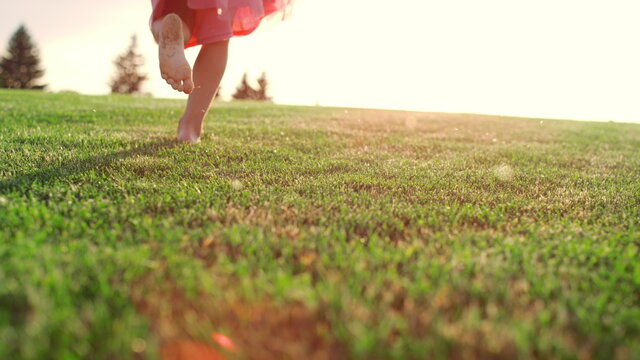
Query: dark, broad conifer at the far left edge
point(20, 69)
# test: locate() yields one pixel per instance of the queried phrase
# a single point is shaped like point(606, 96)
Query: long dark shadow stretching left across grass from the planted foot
point(24, 181)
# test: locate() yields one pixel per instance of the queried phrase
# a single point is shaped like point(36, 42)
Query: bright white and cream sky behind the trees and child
point(575, 59)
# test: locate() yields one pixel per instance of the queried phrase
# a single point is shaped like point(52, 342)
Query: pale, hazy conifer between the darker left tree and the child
point(128, 78)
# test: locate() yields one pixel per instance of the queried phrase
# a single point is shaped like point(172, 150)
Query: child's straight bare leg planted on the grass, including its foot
point(207, 73)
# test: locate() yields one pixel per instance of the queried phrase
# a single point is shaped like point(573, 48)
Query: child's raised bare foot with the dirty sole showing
point(173, 65)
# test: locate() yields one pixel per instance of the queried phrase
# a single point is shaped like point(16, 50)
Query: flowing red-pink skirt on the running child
point(211, 21)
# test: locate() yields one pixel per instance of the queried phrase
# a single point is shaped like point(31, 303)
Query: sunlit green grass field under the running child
point(314, 233)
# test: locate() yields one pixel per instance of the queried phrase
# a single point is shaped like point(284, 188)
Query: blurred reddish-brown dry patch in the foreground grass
point(260, 329)
